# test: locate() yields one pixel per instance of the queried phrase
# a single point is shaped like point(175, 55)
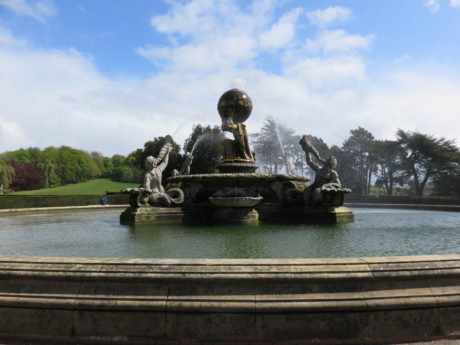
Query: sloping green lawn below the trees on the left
point(91, 187)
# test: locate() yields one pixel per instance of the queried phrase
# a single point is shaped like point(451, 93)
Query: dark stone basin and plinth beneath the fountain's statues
point(239, 198)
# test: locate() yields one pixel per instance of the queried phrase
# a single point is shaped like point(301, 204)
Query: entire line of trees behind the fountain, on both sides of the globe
point(412, 162)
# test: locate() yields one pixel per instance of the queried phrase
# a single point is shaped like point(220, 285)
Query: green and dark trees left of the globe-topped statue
point(34, 168)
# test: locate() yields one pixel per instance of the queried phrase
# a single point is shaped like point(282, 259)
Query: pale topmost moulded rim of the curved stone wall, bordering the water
point(238, 270)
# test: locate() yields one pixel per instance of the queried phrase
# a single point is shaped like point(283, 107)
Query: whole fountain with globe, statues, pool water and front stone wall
point(190, 294)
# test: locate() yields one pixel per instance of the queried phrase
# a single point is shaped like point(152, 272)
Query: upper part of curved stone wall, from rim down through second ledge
point(232, 285)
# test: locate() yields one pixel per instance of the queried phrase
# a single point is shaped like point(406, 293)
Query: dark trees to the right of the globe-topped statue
point(411, 162)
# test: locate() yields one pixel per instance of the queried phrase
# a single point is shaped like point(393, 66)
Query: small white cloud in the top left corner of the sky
point(40, 10)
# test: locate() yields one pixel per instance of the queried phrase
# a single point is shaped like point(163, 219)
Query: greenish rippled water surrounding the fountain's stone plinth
point(375, 232)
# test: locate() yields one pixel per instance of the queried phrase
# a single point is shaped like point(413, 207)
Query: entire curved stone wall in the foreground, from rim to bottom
point(362, 300)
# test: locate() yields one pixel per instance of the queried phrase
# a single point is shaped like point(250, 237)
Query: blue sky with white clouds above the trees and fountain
point(109, 75)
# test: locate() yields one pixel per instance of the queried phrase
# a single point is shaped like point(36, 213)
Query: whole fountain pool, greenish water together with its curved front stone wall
point(81, 277)
